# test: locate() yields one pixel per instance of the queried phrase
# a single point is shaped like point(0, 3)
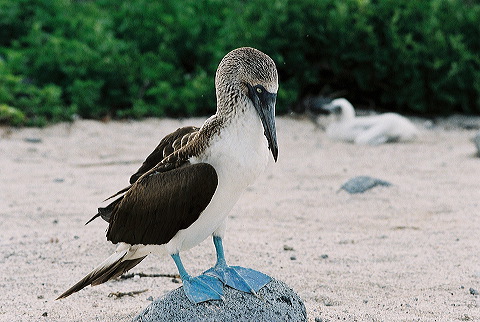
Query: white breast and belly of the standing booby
point(239, 156)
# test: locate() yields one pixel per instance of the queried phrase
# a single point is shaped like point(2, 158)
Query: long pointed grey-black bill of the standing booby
point(264, 103)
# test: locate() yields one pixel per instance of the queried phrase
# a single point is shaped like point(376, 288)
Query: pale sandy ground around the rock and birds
point(402, 253)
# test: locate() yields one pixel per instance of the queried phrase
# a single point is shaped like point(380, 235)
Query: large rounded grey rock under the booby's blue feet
point(275, 302)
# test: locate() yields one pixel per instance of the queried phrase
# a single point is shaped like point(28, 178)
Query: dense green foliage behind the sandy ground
point(158, 58)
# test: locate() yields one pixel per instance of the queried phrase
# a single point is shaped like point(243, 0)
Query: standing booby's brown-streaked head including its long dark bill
point(248, 75)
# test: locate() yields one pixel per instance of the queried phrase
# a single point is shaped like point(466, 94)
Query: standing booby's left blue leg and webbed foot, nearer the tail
point(201, 288)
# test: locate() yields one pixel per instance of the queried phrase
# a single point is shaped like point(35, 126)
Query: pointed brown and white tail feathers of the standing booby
point(112, 267)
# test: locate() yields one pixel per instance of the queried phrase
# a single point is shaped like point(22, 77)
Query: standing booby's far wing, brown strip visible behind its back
point(170, 143)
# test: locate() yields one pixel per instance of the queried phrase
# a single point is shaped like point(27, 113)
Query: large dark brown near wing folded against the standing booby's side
point(163, 201)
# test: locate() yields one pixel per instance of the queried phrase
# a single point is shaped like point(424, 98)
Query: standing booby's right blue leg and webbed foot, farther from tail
point(240, 278)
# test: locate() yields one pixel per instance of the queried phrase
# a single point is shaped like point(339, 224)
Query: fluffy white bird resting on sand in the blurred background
point(371, 130)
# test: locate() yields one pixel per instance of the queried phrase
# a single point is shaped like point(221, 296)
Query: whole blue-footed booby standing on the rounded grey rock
point(186, 187)
